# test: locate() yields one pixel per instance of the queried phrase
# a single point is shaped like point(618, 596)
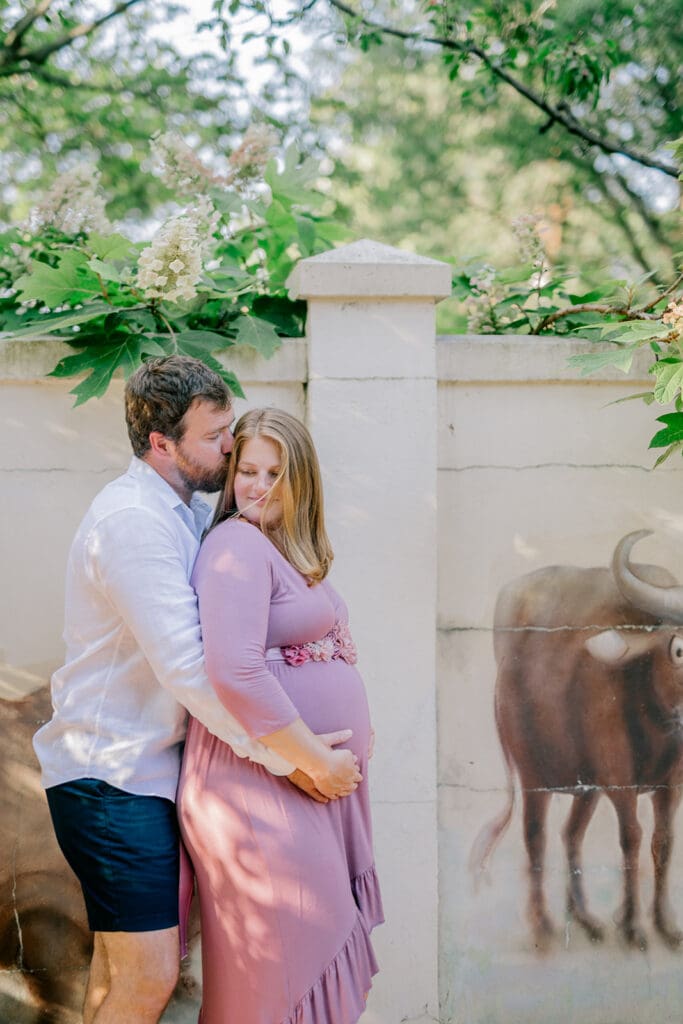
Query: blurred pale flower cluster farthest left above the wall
point(74, 204)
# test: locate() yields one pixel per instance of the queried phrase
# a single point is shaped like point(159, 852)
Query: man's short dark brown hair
point(161, 392)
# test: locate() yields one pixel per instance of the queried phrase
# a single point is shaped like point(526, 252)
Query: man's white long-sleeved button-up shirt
point(135, 660)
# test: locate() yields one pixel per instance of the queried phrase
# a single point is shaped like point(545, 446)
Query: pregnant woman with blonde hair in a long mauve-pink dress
point(287, 886)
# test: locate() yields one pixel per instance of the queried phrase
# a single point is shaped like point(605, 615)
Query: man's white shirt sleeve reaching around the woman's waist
point(134, 559)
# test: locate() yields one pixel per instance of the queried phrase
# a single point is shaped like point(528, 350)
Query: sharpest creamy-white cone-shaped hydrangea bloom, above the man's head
point(172, 266)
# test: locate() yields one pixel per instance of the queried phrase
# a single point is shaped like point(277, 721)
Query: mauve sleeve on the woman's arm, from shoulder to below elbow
point(234, 582)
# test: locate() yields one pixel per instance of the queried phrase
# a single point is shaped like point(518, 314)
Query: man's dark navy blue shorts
point(124, 850)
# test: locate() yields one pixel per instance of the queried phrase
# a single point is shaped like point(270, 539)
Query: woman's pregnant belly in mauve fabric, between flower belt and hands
point(329, 696)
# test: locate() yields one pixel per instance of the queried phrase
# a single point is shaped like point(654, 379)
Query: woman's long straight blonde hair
point(301, 535)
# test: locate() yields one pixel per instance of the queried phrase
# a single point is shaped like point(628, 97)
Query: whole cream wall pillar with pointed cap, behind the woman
point(372, 409)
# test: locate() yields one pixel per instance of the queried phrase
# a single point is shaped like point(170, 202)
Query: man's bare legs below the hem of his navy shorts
point(134, 975)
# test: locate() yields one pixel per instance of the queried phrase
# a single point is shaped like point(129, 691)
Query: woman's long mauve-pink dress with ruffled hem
point(287, 887)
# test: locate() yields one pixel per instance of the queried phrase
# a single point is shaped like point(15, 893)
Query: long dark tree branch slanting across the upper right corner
point(559, 114)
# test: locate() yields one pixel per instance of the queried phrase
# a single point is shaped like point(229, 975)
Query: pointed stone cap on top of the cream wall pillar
point(370, 270)
